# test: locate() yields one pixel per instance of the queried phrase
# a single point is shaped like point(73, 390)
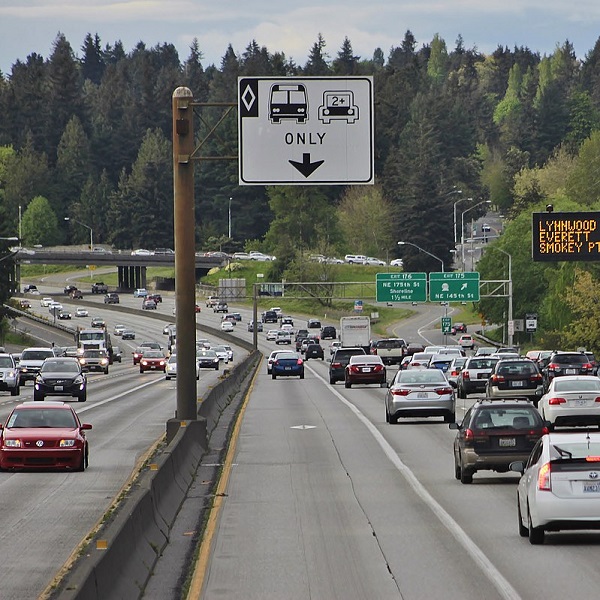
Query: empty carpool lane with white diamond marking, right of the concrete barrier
point(314, 508)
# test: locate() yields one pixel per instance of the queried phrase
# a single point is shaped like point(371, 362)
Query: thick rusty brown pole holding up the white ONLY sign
point(185, 263)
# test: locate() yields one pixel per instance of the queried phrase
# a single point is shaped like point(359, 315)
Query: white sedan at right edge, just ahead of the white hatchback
point(572, 400)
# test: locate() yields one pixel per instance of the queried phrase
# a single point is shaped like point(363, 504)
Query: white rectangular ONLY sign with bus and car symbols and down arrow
point(305, 130)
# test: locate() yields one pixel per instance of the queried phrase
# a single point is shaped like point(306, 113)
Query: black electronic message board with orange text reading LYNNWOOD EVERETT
point(566, 236)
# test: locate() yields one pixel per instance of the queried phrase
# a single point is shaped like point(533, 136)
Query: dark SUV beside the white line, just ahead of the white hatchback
point(493, 434)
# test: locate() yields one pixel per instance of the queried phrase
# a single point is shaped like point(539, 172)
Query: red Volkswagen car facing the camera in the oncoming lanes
point(43, 435)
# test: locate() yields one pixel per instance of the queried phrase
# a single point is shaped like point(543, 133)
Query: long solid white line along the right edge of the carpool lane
point(505, 589)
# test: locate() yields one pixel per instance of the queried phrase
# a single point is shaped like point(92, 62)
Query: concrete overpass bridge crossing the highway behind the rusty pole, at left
point(131, 268)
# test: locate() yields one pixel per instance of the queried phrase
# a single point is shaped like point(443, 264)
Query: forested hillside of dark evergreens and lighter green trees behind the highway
point(86, 134)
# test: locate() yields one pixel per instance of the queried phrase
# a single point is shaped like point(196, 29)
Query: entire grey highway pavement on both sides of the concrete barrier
point(324, 499)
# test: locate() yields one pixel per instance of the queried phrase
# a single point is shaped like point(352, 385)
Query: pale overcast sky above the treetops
point(292, 27)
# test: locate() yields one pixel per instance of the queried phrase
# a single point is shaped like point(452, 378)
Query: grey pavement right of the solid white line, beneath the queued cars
point(485, 511)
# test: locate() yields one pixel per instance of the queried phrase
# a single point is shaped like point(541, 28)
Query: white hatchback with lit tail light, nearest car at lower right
point(560, 485)
